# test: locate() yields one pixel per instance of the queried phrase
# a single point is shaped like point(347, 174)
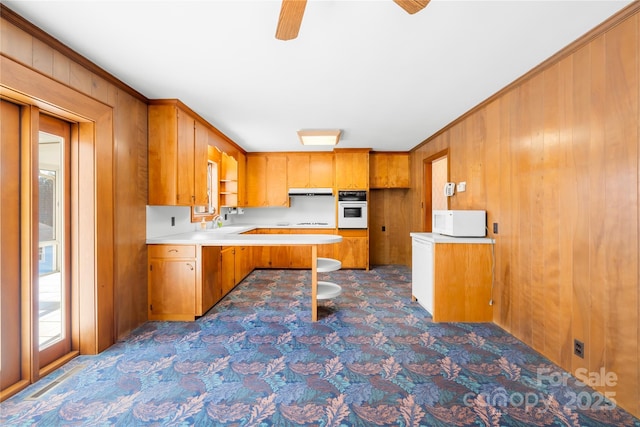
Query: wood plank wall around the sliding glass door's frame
point(130, 167)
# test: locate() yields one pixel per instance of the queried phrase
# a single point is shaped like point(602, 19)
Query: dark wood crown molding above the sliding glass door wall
point(26, 26)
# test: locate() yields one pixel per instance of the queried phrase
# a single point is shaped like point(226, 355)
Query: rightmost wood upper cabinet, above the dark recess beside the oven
point(389, 170)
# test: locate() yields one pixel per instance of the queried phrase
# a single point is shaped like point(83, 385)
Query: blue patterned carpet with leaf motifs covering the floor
point(373, 359)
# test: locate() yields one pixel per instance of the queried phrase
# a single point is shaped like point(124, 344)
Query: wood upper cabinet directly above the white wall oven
point(352, 168)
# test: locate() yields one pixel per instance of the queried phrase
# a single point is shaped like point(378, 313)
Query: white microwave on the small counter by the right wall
point(460, 223)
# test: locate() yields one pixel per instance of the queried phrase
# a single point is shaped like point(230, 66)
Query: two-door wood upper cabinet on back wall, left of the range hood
point(267, 180)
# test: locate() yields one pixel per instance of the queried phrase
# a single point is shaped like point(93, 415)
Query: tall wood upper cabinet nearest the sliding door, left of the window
point(177, 156)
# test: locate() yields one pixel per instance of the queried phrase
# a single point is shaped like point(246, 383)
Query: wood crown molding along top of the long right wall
point(616, 19)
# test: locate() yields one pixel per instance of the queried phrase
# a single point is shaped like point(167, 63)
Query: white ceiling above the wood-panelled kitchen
point(387, 79)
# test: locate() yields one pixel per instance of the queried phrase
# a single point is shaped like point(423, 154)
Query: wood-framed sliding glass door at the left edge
point(35, 260)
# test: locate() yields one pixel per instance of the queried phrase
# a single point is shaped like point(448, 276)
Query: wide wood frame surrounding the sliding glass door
point(92, 209)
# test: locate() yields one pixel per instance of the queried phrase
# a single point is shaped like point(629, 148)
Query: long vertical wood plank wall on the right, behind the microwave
point(555, 161)
